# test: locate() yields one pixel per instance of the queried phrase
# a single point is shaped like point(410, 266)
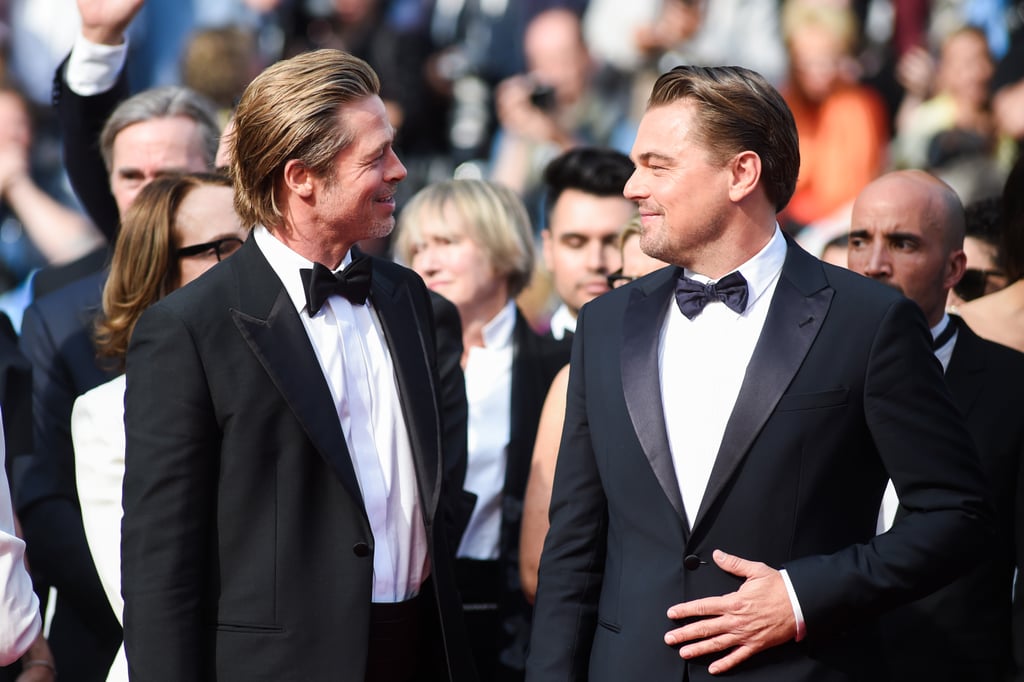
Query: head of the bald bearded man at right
point(908, 232)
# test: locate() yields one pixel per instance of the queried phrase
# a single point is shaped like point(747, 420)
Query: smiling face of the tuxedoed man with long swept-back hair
point(357, 199)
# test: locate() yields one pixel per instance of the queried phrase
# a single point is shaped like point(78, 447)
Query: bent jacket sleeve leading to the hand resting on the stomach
point(930, 457)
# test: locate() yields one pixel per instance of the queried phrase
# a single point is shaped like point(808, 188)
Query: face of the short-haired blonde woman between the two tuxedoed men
point(456, 267)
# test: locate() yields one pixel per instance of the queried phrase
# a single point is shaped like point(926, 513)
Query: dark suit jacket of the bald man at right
point(969, 621)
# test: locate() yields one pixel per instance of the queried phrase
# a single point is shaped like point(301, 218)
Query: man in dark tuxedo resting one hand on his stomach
point(731, 427)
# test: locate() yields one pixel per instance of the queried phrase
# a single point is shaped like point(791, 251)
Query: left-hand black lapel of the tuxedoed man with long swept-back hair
point(270, 324)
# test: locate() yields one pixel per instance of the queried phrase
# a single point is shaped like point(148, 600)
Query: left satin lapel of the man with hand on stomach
point(642, 387)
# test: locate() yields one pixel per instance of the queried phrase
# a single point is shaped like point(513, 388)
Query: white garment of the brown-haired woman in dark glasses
point(98, 430)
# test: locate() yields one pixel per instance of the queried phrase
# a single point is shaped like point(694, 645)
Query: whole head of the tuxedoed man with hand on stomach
point(716, 148)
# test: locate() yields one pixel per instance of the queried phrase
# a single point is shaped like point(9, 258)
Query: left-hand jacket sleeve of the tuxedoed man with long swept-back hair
point(172, 464)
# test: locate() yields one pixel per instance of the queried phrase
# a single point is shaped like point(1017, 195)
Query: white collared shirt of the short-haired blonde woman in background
point(489, 392)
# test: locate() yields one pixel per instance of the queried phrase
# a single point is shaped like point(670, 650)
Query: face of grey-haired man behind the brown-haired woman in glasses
point(146, 150)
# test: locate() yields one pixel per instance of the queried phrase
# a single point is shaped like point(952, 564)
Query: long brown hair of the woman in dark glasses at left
point(143, 267)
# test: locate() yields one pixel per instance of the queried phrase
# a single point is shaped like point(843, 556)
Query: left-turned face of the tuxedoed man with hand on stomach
point(677, 223)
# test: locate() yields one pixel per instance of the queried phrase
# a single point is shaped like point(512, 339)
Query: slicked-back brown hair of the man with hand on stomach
point(739, 111)
